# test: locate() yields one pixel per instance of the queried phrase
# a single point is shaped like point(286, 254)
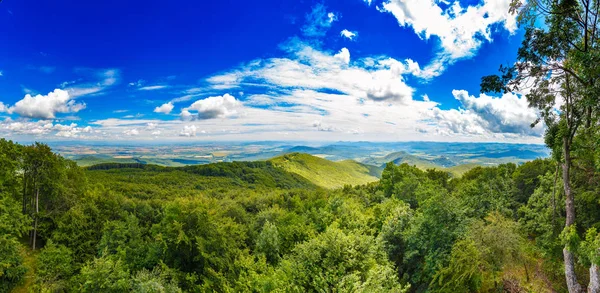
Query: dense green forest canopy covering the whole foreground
point(254, 227)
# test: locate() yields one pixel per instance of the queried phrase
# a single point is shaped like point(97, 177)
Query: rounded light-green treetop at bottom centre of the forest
point(337, 261)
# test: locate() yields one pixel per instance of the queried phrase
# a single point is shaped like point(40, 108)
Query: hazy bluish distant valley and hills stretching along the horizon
point(456, 158)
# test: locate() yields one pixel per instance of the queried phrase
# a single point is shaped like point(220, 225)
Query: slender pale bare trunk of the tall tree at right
point(572, 284)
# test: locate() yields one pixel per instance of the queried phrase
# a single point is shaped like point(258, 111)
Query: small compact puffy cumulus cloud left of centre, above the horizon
point(213, 107)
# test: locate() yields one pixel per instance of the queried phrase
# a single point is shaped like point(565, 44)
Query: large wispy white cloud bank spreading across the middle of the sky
point(369, 78)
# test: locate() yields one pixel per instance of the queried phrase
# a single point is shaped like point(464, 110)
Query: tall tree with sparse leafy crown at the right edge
point(558, 68)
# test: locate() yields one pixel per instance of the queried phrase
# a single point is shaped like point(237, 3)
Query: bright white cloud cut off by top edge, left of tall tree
point(461, 30)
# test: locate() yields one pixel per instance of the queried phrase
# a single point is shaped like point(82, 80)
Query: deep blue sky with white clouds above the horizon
point(258, 70)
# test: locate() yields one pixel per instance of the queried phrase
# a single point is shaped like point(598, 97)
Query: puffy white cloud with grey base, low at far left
point(46, 107)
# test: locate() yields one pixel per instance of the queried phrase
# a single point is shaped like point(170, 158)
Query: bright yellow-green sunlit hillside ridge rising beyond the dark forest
point(326, 173)
